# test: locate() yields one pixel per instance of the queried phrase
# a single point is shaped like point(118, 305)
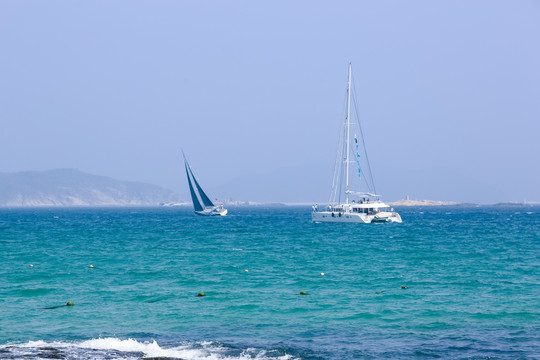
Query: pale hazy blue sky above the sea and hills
point(449, 94)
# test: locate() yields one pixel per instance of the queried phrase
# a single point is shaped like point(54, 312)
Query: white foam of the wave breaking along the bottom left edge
point(149, 349)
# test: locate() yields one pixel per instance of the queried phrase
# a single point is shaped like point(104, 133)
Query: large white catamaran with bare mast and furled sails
point(367, 206)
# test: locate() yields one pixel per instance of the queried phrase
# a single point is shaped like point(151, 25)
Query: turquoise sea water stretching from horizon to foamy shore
point(472, 278)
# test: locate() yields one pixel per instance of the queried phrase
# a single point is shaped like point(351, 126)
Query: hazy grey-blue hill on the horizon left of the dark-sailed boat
point(69, 187)
